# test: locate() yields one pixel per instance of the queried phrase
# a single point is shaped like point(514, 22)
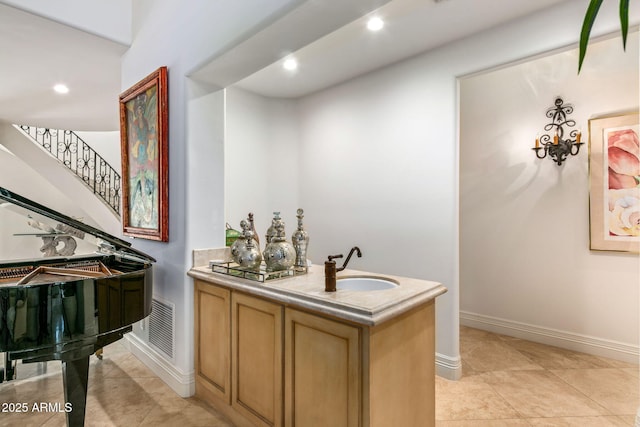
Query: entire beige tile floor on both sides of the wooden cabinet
point(506, 382)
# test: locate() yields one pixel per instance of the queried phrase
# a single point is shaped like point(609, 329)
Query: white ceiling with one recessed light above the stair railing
point(36, 53)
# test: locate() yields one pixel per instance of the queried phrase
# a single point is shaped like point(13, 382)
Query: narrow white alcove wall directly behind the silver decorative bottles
point(261, 160)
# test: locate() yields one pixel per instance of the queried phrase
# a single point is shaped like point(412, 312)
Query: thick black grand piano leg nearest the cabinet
point(75, 374)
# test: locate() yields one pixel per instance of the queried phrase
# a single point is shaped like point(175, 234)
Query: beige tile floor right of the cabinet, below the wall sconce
point(511, 382)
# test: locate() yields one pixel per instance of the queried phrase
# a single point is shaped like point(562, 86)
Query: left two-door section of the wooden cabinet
point(238, 355)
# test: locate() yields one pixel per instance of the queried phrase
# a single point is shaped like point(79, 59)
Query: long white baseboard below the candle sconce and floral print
point(583, 343)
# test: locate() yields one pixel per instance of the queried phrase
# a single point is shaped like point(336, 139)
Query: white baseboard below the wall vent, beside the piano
point(182, 383)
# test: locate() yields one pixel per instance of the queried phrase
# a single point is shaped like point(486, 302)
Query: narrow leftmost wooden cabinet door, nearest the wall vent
point(213, 352)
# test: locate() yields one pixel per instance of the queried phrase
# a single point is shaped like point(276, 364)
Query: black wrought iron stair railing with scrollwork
point(82, 160)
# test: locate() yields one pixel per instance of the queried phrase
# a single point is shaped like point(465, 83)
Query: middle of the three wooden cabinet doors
point(256, 343)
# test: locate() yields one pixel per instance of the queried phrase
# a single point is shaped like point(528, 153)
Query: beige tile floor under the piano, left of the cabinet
point(122, 391)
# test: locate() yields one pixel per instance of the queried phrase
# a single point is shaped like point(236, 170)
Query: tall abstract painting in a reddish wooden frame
point(144, 148)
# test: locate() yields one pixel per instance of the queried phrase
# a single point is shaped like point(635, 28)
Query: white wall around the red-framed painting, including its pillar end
point(165, 32)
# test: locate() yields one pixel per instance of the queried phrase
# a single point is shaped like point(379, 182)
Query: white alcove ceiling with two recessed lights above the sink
point(411, 27)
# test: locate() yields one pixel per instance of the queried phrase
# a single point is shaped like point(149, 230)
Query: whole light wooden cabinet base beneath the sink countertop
point(263, 363)
